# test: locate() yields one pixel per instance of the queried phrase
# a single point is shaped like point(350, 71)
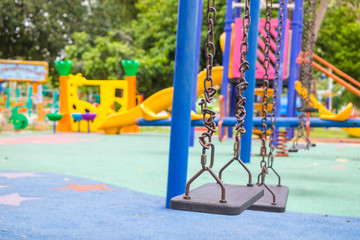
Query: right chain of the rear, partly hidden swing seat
point(276, 82)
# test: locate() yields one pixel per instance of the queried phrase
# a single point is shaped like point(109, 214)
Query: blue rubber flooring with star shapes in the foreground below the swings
point(48, 211)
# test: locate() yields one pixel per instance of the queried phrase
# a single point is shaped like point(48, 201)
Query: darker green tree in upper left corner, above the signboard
point(38, 29)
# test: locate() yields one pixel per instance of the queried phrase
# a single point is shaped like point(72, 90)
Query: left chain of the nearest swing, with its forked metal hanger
point(208, 114)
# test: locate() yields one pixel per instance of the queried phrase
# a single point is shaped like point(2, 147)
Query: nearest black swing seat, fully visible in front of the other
point(206, 199)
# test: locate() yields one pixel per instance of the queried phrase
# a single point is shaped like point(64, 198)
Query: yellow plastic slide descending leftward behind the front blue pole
point(154, 104)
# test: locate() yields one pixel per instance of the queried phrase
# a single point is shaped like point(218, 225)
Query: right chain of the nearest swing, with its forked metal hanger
point(240, 111)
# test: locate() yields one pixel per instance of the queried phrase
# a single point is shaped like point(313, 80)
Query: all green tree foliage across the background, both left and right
point(98, 34)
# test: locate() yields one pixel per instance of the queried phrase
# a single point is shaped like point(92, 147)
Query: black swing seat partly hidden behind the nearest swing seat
point(265, 203)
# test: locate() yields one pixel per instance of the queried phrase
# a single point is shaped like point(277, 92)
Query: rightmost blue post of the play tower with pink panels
point(296, 26)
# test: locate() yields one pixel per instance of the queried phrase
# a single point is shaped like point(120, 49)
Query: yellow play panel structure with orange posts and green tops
point(112, 92)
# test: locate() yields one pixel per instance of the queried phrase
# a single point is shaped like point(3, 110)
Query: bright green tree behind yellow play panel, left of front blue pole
point(149, 38)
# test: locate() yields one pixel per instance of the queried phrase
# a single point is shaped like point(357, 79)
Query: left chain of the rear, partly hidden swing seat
point(265, 99)
